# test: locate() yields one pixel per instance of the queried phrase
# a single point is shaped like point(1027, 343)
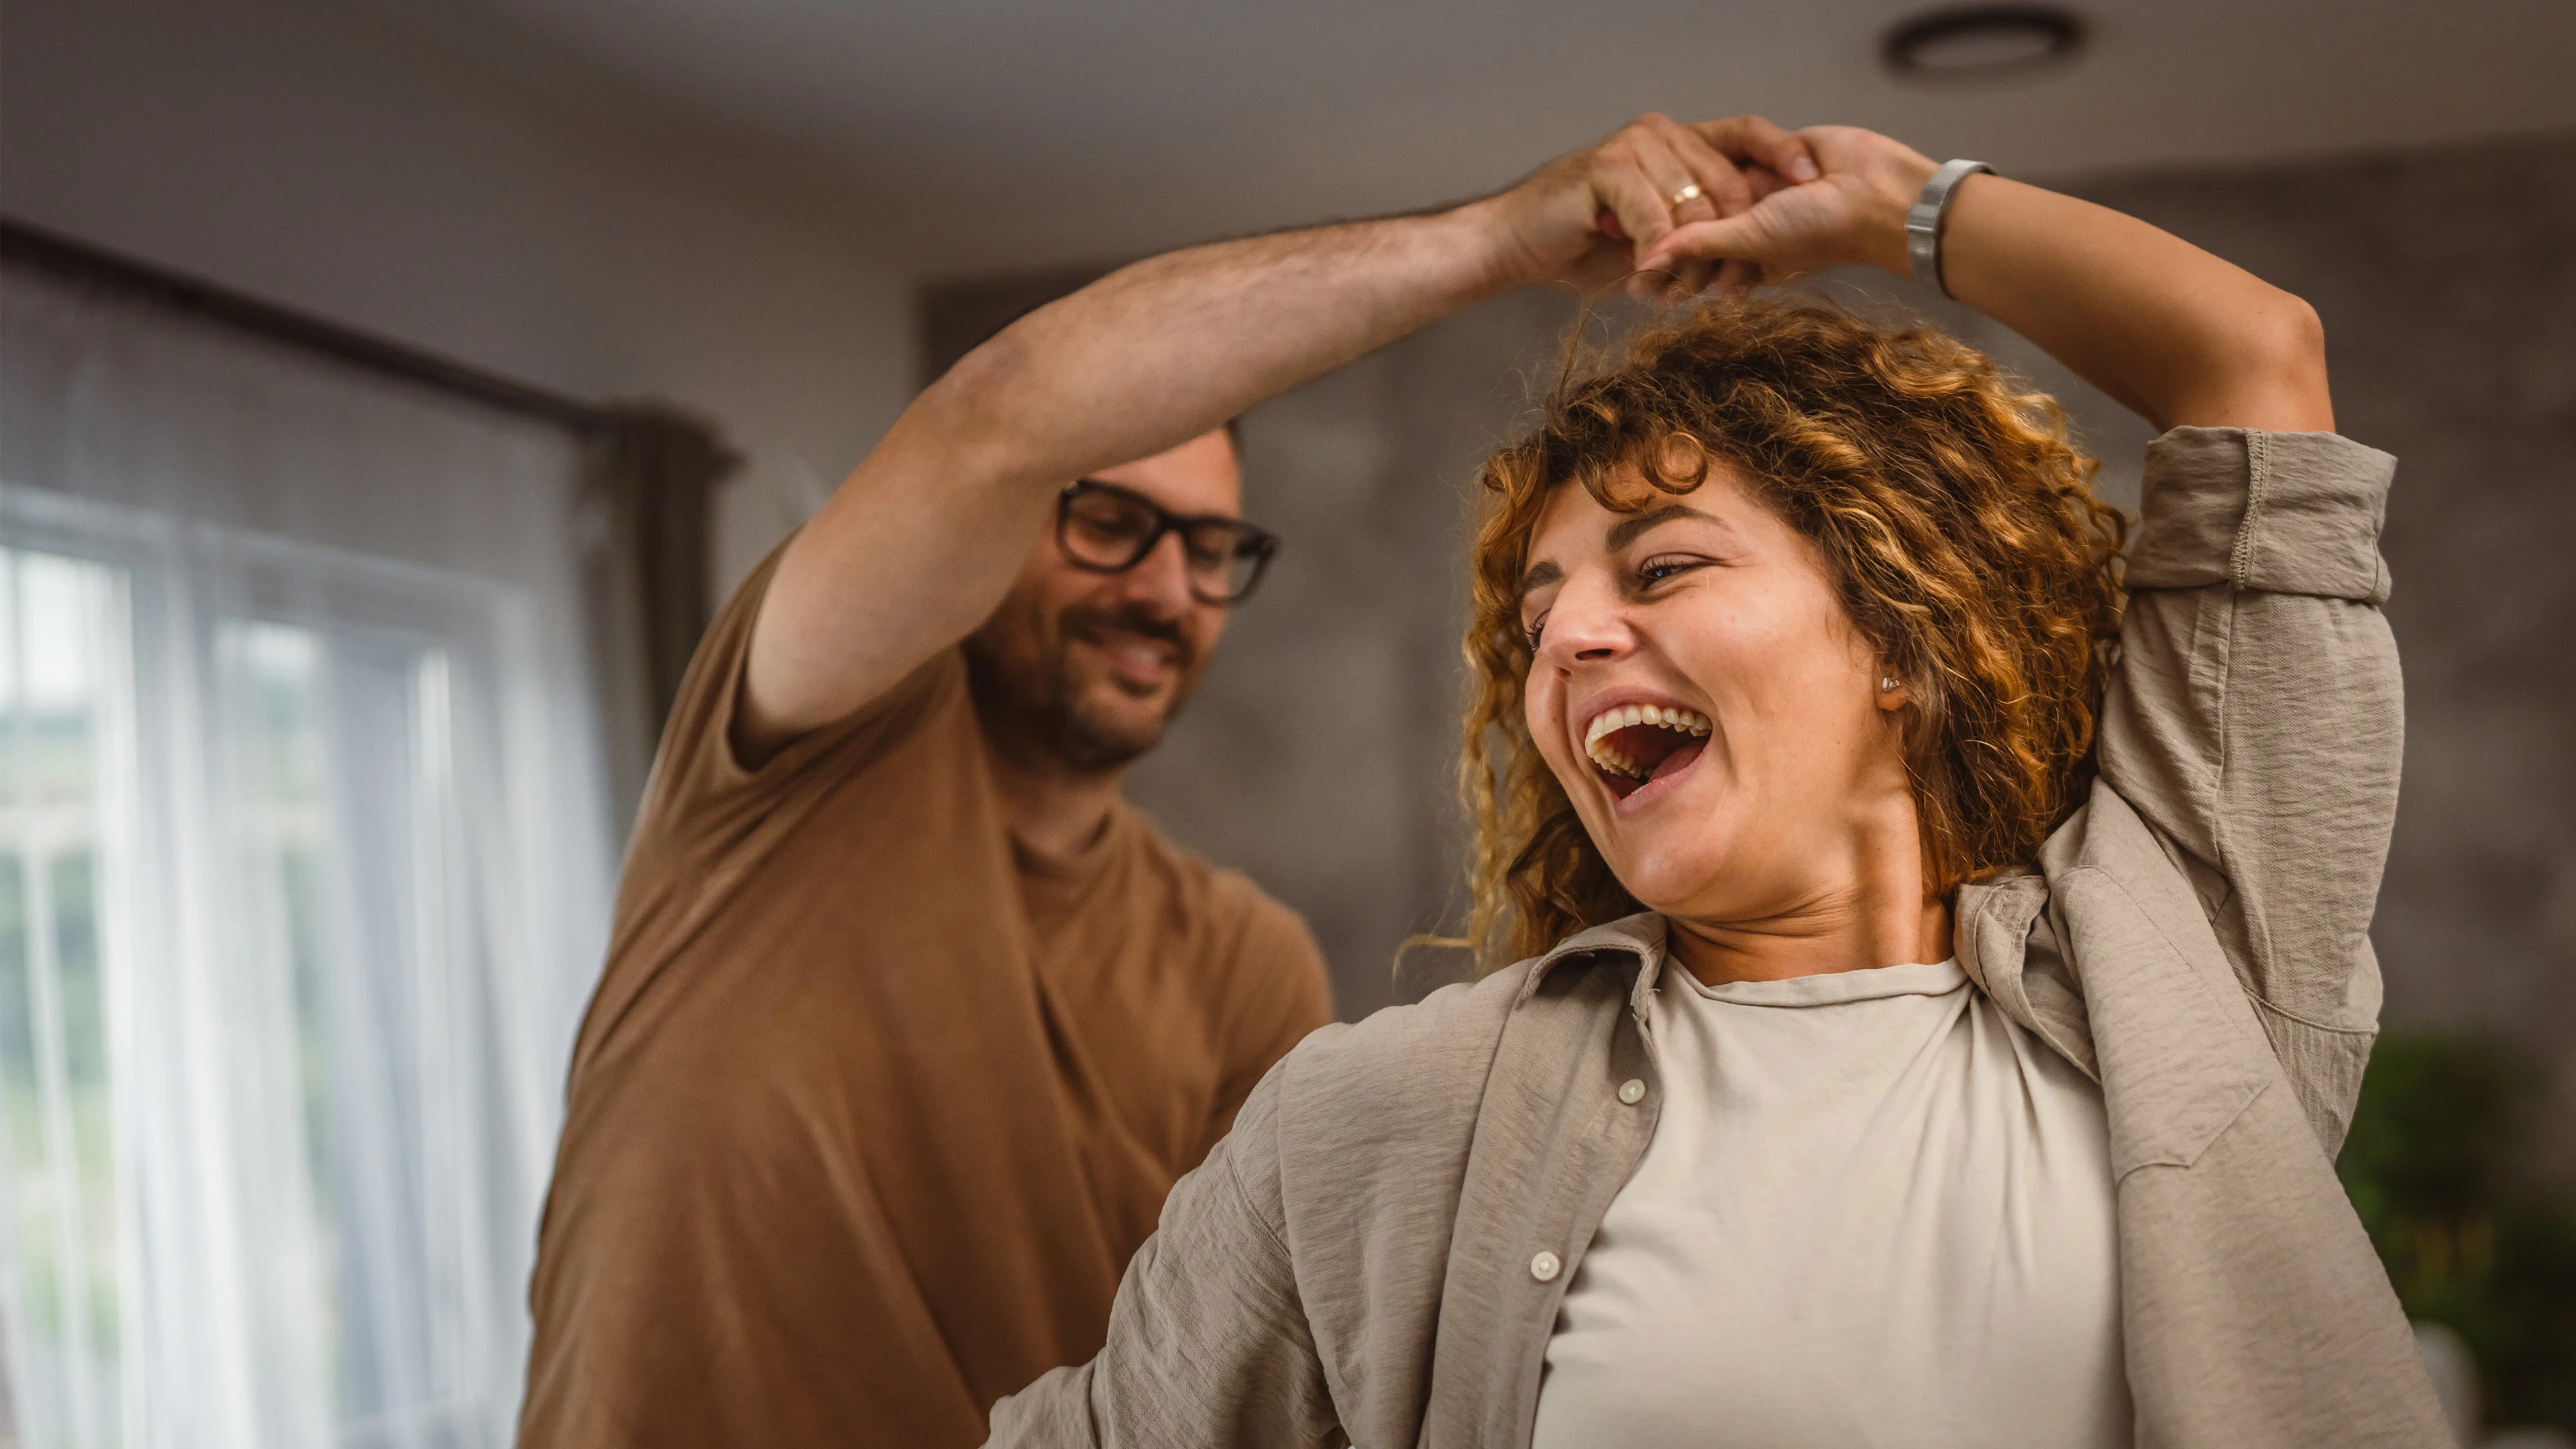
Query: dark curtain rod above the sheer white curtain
point(79, 262)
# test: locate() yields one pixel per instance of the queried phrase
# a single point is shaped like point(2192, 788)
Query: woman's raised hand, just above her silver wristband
point(1856, 213)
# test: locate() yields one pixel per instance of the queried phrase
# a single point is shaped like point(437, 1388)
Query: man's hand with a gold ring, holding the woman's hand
point(1596, 215)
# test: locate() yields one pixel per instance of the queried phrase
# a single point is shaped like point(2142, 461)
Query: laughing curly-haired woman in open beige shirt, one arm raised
point(1946, 989)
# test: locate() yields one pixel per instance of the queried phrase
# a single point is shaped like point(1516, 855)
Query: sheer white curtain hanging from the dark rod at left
point(303, 886)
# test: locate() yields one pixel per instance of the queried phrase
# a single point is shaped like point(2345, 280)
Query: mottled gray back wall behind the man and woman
point(1320, 754)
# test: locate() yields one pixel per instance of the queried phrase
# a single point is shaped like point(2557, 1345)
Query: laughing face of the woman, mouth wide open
point(1709, 705)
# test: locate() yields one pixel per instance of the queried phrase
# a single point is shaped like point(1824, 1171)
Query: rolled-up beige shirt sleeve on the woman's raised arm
point(2258, 721)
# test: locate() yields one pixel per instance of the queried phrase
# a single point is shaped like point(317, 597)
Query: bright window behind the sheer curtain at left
point(295, 976)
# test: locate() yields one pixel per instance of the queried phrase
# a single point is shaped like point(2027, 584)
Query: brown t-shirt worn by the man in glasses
point(875, 1105)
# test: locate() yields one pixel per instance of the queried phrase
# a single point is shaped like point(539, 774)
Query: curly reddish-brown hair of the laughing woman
point(1951, 512)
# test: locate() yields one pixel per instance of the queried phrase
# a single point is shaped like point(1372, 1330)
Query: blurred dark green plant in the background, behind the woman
point(2477, 1239)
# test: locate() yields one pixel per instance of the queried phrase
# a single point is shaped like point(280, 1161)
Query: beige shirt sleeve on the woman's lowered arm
point(1209, 1339)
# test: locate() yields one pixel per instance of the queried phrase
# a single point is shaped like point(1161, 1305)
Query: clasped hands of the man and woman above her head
point(1673, 210)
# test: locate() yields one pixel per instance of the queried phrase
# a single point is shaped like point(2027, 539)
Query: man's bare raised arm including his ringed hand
point(929, 532)
